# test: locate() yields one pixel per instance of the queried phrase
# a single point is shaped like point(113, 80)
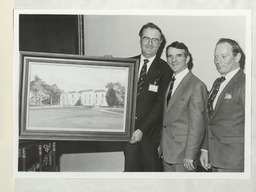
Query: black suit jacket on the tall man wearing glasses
point(149, 107)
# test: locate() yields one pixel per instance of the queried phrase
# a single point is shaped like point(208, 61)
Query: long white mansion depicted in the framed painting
point(87, 97)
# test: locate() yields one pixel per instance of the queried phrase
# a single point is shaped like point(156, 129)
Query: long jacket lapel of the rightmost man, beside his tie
point(227, 89)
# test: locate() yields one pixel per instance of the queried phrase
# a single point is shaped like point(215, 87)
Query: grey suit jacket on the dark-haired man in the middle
point(184, 123)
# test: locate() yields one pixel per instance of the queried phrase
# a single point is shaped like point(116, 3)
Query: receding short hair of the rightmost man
point(235, 49)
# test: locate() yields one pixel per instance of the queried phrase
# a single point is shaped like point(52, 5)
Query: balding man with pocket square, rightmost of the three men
point(223, 147)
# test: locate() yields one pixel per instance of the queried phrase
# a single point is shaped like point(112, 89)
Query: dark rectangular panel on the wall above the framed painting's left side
point(49, 33)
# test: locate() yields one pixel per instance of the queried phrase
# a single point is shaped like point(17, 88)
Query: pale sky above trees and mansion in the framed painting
point(78, 77)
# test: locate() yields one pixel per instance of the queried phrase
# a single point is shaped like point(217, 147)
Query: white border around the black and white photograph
point(248, 157)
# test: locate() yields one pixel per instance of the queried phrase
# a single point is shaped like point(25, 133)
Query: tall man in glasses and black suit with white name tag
point(141, 153)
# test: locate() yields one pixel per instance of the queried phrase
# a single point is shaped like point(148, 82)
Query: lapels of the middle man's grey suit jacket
point(178, 92)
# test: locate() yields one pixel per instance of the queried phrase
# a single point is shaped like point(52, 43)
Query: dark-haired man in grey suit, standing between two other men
point(183, 120)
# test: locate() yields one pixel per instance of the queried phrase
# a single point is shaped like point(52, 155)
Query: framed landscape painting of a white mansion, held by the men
point(72, 97)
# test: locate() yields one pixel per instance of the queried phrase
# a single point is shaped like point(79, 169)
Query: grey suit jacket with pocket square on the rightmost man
point(225, 128)
